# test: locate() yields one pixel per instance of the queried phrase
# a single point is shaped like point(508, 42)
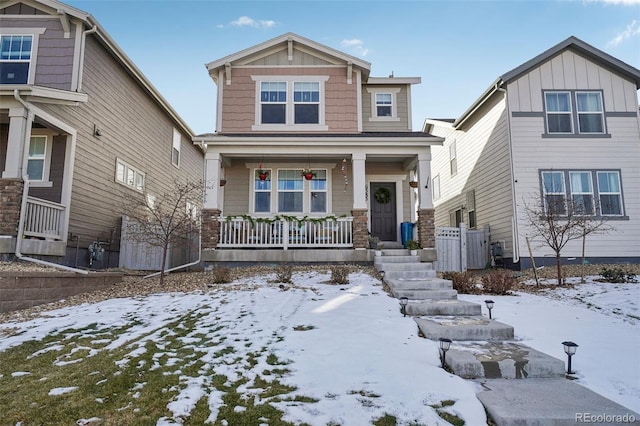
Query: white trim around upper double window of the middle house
point(289, 120)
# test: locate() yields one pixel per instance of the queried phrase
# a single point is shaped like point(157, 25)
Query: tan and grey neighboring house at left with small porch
point(81, 129)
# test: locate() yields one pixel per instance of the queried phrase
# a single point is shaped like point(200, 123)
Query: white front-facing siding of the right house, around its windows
point(620, 151)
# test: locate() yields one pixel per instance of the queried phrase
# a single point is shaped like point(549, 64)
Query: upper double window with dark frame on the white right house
point(574, 112)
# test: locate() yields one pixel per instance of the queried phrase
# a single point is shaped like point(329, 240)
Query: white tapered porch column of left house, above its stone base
point(19, 131)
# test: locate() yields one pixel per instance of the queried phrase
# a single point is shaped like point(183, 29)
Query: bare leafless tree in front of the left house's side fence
point(166, 220)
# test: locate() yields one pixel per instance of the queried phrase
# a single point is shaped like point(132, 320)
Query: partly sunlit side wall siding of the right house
point(482, 152)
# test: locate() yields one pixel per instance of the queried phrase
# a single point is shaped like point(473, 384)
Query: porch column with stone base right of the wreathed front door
point(426, 212)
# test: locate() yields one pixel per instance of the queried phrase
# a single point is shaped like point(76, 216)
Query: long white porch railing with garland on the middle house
point(282, 233)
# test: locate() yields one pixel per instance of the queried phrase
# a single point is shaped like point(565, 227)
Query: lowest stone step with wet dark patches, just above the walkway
point(501, 360)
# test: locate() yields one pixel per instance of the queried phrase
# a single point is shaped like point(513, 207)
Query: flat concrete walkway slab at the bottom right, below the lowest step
point(549, 402)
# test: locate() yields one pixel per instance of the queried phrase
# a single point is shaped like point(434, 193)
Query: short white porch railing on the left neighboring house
point(43, 219)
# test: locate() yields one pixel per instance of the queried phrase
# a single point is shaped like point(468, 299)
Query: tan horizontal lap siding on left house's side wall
point(134, 129)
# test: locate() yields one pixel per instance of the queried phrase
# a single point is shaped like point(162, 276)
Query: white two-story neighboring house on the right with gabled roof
point(562, 126)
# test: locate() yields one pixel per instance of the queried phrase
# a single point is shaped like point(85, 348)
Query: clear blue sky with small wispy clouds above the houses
point(457, 47)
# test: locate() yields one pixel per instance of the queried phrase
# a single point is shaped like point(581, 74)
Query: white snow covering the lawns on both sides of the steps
point(349, 347)
